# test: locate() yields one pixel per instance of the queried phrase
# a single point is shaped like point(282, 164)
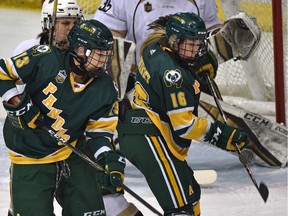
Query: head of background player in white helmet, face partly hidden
point(66, 9)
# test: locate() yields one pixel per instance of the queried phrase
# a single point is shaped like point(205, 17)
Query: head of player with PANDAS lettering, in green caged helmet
point(91, 48)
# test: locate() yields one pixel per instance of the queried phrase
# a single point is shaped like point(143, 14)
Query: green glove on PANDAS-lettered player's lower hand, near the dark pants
point(114, 163)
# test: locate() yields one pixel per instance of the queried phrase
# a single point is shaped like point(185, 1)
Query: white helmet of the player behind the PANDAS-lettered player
point(65, 8)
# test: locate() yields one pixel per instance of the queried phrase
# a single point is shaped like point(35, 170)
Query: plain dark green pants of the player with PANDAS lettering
point(73, 181)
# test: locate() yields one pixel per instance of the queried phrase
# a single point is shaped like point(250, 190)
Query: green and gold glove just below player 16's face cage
point(208, 64)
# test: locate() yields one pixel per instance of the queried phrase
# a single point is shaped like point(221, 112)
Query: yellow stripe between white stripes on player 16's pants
point(171, 176)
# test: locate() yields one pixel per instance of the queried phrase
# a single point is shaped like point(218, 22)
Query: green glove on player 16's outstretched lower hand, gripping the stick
point(224, 136)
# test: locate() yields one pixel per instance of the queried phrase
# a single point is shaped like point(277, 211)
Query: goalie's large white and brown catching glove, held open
point(237, 39)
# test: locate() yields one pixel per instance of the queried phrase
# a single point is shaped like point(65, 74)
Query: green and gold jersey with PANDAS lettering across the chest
point(78, 114)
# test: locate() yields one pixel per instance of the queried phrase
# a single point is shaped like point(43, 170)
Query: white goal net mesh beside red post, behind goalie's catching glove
point(233, 77)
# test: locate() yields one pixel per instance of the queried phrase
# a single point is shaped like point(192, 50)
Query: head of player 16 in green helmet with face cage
point(186, 33)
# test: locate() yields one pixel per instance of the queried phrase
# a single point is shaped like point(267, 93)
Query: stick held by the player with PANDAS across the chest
point(93, 164)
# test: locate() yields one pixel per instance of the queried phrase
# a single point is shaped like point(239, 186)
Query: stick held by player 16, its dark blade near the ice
point(262, 188)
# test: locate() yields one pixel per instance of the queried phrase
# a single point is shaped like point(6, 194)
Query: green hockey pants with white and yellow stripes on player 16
point(171, 180)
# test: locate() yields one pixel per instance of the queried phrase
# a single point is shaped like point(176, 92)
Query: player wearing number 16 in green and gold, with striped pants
point(157, 132)
